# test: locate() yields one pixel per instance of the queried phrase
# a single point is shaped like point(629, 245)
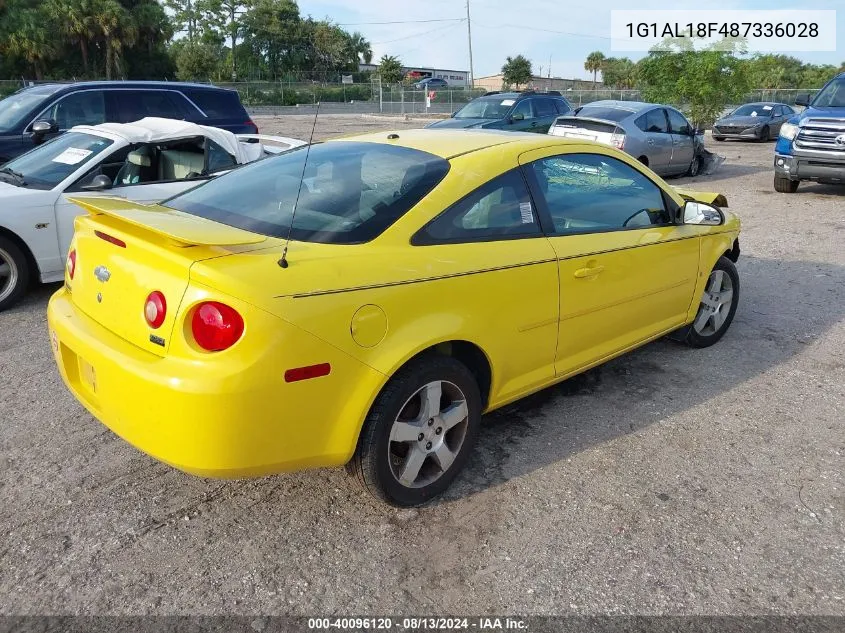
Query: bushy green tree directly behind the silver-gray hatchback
point(700, 82)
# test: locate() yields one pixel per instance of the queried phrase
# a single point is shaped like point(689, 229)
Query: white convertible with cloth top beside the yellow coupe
point(146, 161)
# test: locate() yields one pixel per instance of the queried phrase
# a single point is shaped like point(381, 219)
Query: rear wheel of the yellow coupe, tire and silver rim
point(419, 432)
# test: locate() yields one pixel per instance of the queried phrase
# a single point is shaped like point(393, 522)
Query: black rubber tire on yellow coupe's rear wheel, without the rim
point(375, 463)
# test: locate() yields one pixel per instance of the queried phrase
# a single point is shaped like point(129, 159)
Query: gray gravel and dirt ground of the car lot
point(668, 481)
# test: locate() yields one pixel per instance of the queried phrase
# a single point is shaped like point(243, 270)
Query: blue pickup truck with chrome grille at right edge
point(811, 145)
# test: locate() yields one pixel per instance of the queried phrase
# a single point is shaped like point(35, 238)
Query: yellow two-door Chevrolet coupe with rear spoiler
point(363, 301)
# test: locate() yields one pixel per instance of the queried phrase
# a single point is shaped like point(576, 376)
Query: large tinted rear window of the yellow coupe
point(351, 192)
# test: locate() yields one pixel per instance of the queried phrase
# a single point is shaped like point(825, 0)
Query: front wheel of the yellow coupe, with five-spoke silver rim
point(717, 307)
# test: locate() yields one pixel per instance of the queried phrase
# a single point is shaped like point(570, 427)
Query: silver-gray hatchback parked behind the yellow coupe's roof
point(658, 136)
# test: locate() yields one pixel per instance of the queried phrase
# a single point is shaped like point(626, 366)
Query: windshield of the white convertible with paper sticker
point(47, 165)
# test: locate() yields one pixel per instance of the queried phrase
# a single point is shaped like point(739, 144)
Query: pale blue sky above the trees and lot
point(564, 31)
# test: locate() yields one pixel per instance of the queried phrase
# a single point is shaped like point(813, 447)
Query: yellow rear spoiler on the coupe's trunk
point(184, 228)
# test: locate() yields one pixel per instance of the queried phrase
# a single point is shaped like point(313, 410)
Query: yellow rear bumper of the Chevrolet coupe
point(223, 417)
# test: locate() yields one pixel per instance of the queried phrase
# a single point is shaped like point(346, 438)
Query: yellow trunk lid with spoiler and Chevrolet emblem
point(126, 250)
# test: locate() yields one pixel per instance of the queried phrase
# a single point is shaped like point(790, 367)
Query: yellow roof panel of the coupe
point(450, 143)
